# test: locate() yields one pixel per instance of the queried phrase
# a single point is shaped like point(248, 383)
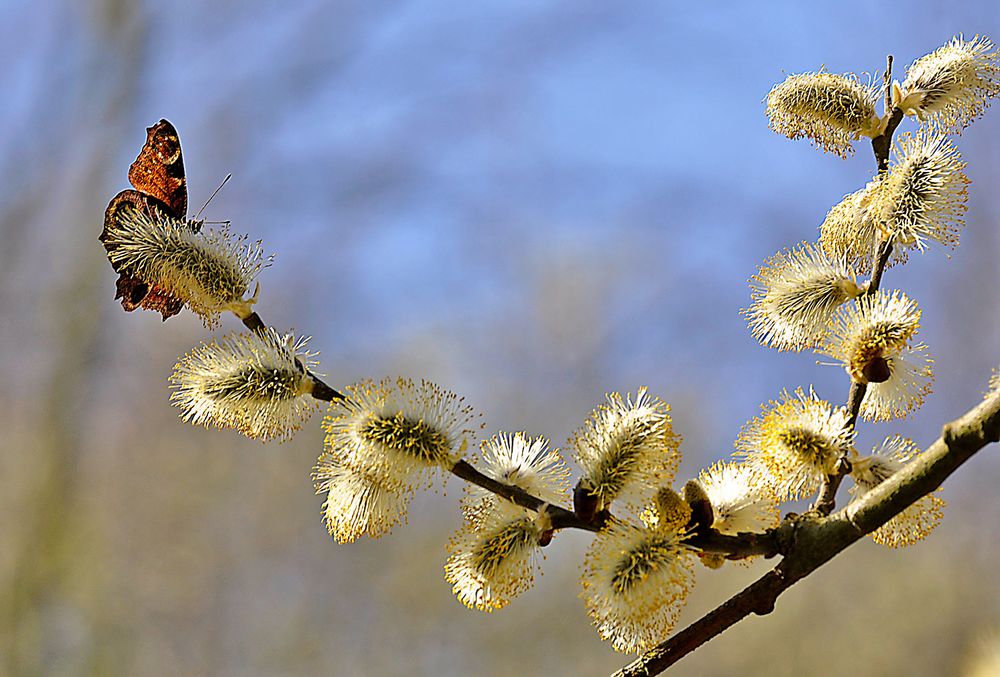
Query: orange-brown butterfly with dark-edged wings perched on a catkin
point(157, 175)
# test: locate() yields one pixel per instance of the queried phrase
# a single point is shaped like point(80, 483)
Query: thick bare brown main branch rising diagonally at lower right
point(814, 540)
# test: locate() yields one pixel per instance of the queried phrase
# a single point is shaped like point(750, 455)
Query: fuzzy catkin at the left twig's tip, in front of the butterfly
point(209, 271)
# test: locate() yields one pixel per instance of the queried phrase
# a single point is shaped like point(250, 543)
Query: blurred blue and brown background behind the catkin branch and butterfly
point(529, 203)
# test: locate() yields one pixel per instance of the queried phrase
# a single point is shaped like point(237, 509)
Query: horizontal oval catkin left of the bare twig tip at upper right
point(830, 110)
